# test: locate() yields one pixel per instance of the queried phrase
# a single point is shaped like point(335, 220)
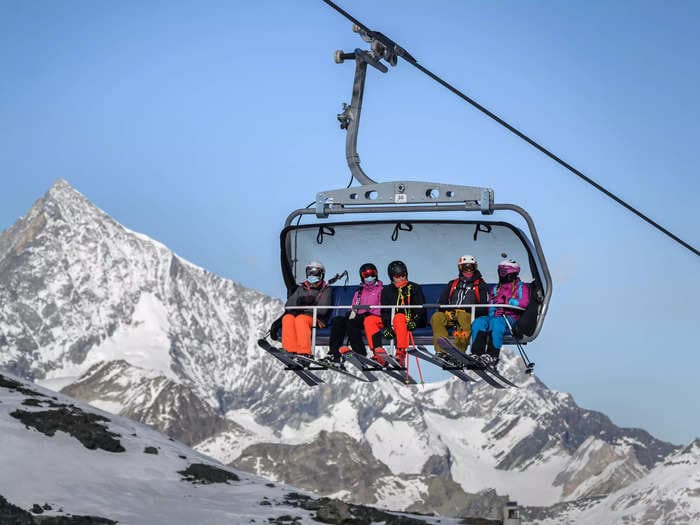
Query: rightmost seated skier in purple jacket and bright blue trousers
point(510, 290)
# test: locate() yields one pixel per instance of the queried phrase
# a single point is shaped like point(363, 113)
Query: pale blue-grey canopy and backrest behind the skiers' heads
point(430, 248)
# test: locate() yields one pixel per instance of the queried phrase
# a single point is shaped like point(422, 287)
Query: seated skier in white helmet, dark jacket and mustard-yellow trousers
point(467, 288)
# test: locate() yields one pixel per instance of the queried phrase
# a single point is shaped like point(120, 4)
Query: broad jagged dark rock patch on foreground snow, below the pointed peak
point(83, 426)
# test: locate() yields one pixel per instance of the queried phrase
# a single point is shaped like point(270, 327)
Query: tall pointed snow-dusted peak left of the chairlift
point(77, 288)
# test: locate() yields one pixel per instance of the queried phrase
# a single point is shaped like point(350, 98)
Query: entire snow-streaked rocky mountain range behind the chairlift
point(122, 322)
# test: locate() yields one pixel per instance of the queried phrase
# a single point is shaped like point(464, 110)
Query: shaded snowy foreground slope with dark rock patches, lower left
point(68, 462)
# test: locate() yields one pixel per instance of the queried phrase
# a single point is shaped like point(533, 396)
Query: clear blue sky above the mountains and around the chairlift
point(204, 124)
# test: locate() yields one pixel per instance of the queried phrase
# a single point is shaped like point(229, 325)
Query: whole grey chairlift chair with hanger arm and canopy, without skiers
point(417, 222)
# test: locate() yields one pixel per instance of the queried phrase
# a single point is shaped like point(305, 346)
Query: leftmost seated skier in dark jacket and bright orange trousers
point(297, 324)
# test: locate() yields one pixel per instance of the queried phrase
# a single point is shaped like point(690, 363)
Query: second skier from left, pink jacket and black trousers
point(351, 325)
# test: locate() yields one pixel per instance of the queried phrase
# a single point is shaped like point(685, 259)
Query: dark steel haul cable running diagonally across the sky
point(389, 50)
